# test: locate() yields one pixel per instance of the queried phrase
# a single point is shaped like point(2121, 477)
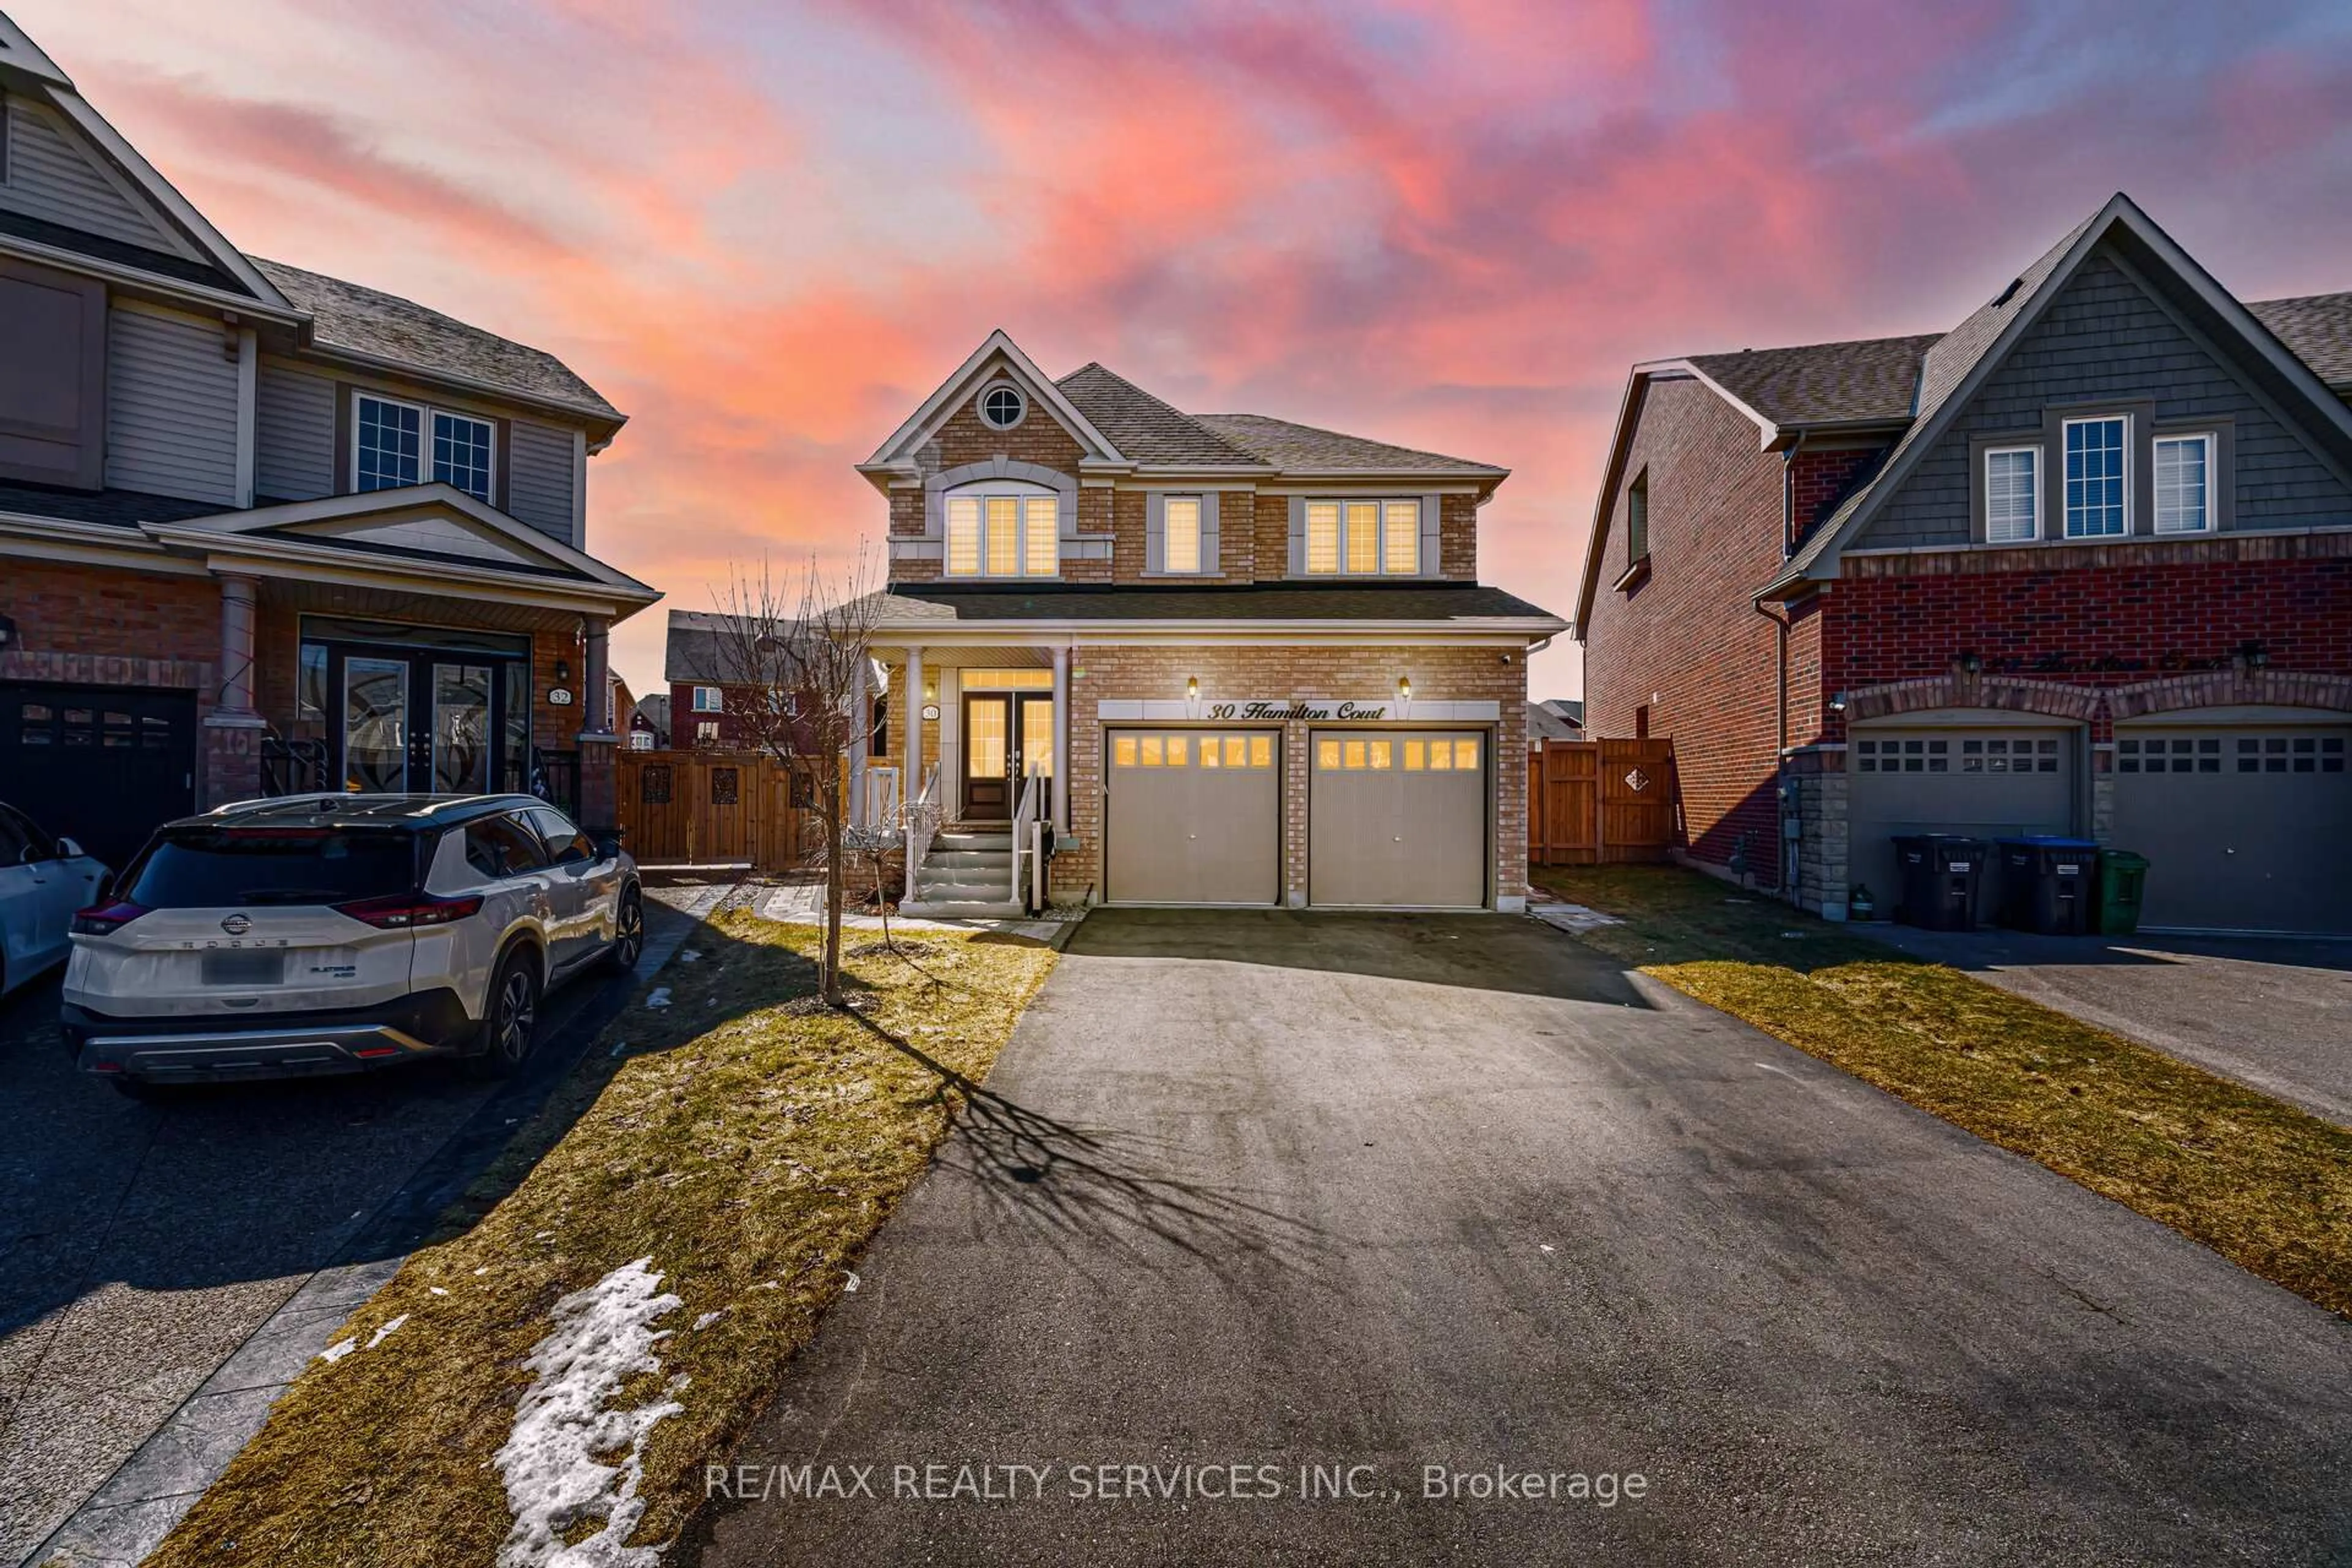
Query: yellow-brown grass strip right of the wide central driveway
point(2254, 1179)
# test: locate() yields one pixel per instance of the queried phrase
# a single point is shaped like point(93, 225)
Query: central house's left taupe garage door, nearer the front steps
point(1194, 817)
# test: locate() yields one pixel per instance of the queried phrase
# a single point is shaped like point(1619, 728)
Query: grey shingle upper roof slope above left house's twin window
point(389, 328)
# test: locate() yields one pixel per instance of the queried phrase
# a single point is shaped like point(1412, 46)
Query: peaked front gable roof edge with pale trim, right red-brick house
point(1970, 354)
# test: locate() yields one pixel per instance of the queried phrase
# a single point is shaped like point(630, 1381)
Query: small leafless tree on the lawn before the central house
point(796, 662)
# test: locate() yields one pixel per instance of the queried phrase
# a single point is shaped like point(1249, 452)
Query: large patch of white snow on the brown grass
point(554, 1482)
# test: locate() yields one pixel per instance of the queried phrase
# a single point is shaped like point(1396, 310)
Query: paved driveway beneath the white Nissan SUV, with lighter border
point(145, 1245)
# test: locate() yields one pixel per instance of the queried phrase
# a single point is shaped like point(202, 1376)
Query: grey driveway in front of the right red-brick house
point(2273, 1014)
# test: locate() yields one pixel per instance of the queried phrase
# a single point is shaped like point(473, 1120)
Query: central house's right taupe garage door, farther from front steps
point(1398, 822)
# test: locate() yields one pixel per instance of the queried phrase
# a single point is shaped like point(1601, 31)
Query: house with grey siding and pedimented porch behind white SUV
point(267, 530)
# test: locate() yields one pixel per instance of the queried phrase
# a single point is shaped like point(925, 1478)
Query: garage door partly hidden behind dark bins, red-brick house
point(1982, 782)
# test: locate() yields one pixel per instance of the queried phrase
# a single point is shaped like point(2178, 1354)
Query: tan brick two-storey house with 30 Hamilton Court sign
point(1236, 662)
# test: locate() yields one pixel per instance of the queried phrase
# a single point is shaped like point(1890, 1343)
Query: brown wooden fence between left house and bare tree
point(714, 810)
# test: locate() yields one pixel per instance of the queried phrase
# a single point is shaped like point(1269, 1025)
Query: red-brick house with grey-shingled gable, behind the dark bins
point(2080, 565)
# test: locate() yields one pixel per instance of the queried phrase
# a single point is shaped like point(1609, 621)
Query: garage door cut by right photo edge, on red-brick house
point(2245, 829)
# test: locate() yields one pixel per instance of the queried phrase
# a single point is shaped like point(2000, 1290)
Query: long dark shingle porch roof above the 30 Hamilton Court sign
point(1243, 603)
